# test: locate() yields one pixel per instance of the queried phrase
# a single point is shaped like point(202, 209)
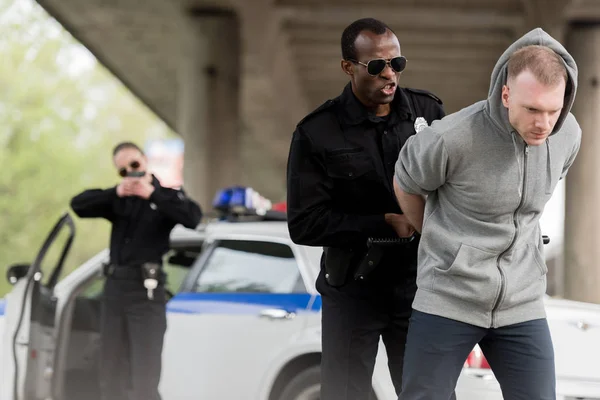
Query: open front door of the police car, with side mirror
point(30, 310)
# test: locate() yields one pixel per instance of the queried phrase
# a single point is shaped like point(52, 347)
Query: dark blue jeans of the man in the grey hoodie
point(521, 356)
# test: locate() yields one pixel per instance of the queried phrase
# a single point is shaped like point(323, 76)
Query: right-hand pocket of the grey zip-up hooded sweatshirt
point(525, 277)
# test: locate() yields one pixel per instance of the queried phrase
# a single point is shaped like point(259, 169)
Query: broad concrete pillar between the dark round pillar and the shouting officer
point(272, 98)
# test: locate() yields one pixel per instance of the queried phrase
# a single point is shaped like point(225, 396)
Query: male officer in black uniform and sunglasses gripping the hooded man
point(340, 195)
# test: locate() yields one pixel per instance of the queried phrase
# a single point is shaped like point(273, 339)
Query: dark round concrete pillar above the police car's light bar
point(208, 109)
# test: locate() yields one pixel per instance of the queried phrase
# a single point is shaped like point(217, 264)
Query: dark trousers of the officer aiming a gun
point(132, 332)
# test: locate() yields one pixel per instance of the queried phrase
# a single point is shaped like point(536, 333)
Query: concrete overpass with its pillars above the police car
point(234, 76)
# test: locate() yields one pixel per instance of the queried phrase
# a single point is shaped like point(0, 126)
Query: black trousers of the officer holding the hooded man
point(354, 317)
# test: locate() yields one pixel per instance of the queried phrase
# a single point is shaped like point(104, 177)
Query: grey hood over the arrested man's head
point(535, 37)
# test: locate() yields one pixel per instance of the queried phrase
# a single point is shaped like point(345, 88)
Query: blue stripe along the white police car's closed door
point(240, 303)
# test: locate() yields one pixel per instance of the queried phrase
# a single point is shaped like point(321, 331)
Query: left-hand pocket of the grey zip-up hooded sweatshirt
point(473, 277)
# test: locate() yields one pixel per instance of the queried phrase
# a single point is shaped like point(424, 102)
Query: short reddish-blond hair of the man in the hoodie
point(543, 62)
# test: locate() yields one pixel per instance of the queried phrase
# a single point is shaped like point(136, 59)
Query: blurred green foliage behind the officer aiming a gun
point(60, 115)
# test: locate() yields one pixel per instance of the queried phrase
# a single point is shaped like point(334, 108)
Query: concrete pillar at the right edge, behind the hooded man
point(582, 219)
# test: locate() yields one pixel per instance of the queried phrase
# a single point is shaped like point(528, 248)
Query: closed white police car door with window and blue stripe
point(242, 305)
